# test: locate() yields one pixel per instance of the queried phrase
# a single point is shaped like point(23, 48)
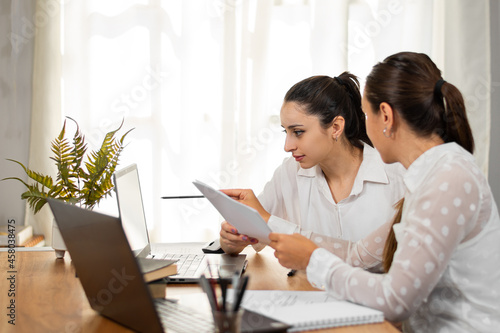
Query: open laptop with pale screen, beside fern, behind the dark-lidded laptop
point(192, 262)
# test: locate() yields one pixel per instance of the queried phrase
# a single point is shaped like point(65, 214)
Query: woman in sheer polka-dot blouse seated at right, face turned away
point(442, 256)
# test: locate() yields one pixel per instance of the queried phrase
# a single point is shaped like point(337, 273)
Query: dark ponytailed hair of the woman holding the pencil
point(327, 98)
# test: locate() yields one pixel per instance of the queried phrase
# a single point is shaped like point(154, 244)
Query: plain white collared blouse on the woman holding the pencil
point(300, 200)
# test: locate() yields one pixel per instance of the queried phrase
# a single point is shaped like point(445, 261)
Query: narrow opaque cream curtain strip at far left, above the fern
point(43, 29)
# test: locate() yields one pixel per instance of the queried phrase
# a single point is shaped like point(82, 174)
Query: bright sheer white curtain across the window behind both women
point(202, 81)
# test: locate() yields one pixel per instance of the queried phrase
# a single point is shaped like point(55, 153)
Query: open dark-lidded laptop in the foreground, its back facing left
point(114, 285)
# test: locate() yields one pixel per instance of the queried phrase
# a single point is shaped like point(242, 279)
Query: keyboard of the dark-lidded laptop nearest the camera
point(181, 319)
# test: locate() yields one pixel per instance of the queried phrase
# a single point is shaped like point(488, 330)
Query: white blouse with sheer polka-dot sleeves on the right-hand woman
point(445, 275)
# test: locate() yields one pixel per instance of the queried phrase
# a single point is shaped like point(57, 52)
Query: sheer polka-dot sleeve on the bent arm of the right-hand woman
point(435, 221)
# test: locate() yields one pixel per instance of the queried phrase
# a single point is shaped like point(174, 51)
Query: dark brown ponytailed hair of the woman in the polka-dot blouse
point(412, 85)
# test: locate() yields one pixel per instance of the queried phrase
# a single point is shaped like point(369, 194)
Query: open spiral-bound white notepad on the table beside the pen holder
point(308, 310)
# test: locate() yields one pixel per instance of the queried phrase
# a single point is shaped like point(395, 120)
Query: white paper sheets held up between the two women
point(246, 219)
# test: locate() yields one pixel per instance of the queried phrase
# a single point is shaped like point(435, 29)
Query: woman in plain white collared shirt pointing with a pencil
point(335, 187)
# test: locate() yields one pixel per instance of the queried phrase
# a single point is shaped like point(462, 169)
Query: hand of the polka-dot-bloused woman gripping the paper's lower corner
point(292, 251)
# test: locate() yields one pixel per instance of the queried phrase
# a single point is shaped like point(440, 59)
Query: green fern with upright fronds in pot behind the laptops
point(78, 182)
